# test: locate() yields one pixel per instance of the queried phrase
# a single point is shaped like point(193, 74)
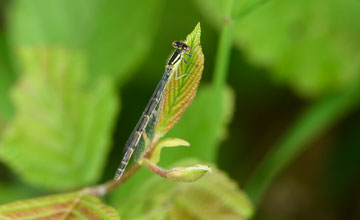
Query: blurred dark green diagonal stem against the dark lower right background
point(315, 120)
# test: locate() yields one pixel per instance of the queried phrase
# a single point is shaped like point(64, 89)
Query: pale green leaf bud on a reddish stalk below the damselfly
point(188, 174)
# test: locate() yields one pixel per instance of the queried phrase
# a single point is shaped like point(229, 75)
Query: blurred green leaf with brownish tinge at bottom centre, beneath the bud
point(214, 196)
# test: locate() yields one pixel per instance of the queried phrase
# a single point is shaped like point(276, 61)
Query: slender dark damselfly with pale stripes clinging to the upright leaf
point(181, 48)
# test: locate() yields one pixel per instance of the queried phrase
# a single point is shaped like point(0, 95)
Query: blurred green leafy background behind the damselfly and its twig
point(75, 76)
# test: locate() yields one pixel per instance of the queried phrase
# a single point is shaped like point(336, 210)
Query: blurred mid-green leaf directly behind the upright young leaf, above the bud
point(202, 126)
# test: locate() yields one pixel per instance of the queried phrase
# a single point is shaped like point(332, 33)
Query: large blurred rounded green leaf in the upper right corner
point(296, 42)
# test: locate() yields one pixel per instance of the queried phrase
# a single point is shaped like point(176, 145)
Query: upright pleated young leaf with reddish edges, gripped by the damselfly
point(180, 93)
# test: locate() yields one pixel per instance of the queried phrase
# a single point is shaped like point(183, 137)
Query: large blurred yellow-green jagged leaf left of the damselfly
point(59, 138)
